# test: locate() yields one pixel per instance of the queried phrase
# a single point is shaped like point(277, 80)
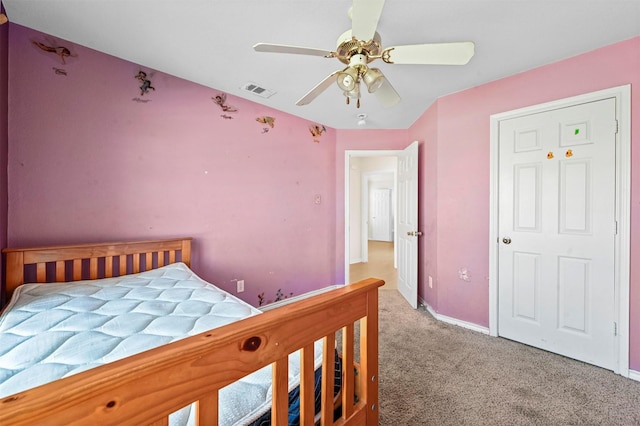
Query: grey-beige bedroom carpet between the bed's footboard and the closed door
point(433, 373)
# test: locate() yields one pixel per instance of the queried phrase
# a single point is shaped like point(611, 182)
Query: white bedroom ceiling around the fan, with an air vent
point(210, 42)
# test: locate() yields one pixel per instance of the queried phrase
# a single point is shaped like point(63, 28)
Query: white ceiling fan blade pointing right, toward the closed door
point(432, 54)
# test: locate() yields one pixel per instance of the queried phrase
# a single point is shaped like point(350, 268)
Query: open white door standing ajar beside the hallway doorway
point(408, 233)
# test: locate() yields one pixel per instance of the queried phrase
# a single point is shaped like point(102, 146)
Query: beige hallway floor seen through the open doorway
point(380, 265)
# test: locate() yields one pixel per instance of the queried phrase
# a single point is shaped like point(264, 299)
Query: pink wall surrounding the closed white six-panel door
point(461, 160)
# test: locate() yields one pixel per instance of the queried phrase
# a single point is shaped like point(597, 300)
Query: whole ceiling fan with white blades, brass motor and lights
point(361, 45)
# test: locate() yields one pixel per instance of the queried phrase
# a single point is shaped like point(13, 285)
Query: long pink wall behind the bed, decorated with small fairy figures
point(88, 163)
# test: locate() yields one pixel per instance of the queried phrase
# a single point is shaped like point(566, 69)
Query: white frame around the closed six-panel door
point(622, 259)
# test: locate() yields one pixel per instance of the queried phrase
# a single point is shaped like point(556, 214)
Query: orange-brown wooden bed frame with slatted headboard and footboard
point(147, 387)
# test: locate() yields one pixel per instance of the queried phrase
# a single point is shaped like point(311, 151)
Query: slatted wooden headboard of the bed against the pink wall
point(90, 261)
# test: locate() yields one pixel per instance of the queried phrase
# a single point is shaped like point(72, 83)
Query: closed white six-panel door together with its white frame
point(560, 176)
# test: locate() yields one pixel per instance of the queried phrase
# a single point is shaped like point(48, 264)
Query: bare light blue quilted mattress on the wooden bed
point(48, 332)
